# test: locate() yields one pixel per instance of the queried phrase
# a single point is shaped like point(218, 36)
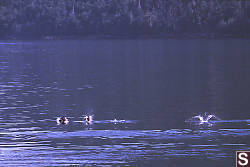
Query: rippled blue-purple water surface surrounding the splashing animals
point(154, 86)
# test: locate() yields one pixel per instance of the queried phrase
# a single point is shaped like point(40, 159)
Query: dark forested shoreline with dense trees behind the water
point(57, 18)
